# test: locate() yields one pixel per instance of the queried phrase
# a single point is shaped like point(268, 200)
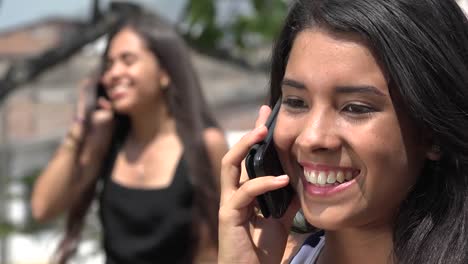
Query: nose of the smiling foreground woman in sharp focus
point(320, 133)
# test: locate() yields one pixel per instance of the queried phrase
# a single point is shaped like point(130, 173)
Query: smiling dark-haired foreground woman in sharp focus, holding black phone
point(372, 134)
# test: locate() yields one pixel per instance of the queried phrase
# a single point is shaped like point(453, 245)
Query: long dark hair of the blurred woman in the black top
point(190, 111)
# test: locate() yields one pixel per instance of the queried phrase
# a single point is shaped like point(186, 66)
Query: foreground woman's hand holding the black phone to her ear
point(244, 235)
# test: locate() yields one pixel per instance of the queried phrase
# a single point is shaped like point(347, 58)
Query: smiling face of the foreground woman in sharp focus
point(352, 155)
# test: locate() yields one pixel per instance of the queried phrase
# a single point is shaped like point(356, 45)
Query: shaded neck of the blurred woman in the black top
point(150, 123)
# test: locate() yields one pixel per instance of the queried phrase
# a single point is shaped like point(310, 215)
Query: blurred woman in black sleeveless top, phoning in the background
point(151, 146)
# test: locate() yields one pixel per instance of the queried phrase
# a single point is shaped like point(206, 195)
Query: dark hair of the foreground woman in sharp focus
point(423, 47)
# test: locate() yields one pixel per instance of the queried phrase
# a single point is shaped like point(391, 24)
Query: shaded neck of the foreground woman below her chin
point(366, 245)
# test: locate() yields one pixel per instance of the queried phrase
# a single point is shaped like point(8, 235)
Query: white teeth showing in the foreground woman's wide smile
point(329, 177)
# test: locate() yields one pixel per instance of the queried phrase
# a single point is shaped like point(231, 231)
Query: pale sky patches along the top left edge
point(14, 13)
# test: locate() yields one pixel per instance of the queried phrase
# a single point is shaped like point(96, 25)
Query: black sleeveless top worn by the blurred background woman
point(148, 225)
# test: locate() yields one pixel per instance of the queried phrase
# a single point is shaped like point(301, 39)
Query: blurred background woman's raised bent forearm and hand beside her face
point(59, 185)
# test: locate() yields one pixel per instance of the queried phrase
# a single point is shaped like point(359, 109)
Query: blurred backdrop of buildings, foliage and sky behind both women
point(48, 46)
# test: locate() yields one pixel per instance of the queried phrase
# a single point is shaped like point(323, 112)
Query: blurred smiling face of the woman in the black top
point(132, 74)
